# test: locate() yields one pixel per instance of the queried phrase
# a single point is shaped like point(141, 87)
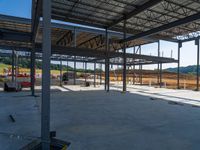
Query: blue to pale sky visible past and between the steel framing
point(22, 8)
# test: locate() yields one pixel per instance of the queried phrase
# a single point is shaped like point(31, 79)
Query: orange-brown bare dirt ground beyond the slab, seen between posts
point(169, 80)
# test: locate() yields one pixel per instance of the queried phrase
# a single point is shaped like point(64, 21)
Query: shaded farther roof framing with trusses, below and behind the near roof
point(61, 34)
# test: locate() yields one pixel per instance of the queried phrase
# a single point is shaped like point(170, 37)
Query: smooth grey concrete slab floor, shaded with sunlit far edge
point(92, 119)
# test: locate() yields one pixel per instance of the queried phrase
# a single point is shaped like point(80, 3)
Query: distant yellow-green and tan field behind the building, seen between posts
point(169, 80)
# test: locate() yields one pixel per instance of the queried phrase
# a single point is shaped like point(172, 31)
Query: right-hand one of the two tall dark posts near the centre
point(124, 58)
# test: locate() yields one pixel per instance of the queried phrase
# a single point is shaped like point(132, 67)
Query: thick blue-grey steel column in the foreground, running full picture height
point(46, 48)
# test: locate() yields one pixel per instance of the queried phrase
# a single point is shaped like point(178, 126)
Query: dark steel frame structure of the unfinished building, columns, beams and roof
point(103, 28)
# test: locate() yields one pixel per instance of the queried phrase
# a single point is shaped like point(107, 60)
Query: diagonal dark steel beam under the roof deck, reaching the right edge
point(165, 27)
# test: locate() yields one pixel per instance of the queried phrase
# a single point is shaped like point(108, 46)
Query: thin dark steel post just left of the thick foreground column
point(33, 69)
